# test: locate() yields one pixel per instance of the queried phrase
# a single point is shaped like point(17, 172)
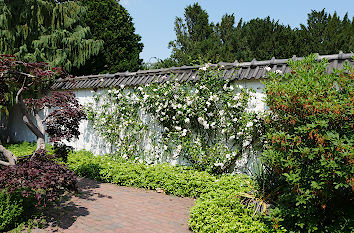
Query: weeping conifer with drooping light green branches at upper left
point(46, 30)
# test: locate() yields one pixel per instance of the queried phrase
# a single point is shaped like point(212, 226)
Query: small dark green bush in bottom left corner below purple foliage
point(13, 210)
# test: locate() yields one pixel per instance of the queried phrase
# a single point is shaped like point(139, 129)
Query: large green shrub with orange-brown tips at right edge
point(310, 145)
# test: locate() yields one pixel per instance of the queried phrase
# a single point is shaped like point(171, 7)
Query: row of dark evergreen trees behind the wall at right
point(199, 40)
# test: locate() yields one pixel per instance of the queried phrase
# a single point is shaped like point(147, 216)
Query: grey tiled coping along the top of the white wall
point(245, 70)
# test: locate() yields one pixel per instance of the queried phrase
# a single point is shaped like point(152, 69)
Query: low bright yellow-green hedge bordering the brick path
point(217, 209)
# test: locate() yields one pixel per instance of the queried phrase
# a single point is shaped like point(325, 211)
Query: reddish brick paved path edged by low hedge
point(102, 207)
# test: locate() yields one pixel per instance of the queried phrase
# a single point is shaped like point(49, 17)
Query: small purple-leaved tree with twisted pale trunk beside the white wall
point(20, 81)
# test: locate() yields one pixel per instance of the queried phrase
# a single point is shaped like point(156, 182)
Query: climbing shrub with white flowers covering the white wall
point(205, 121)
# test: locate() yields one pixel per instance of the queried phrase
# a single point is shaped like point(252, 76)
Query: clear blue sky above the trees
point(154, 19)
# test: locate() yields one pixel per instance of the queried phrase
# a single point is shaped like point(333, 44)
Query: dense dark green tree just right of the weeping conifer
point(110, 22)
